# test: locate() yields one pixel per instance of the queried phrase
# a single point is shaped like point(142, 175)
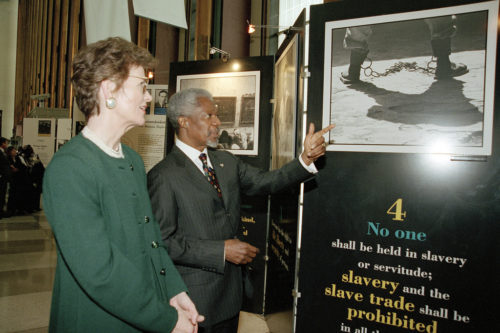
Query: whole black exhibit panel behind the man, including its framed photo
point(242, 90)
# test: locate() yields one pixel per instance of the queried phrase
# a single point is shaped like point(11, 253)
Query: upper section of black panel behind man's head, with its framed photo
point(242, 90)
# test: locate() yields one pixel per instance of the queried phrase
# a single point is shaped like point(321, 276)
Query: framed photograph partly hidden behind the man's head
point(236, 97)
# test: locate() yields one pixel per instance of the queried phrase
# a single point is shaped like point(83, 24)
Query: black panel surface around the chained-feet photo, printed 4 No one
point(452, 202)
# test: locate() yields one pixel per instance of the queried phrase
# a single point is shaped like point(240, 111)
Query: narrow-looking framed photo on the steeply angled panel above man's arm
point(285, 106)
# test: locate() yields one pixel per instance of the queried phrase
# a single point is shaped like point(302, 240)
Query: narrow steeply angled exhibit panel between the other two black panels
point(286, 144)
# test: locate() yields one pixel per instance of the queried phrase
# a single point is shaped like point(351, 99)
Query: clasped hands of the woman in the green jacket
point(188, 317)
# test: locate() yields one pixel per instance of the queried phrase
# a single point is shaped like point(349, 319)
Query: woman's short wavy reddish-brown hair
point(109, 59)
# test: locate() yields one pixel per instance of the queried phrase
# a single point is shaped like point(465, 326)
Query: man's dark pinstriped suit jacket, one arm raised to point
point(194, 222)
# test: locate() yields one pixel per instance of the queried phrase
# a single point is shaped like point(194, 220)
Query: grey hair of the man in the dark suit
point(185, 103)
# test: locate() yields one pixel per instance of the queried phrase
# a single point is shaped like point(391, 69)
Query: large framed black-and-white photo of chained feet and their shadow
point(413, 82)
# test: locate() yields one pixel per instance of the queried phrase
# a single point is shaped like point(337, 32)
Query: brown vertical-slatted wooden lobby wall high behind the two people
point(40, 37)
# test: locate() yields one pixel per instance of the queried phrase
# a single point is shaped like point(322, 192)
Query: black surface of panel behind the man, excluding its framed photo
point(254, 210)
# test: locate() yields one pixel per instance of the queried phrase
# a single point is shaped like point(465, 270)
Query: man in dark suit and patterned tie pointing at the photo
point(196, 200)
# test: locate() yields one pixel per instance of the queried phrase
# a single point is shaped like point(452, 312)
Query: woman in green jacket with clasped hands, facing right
point(113, 273)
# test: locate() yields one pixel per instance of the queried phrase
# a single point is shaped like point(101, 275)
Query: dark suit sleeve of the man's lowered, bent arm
point(205, 254)
